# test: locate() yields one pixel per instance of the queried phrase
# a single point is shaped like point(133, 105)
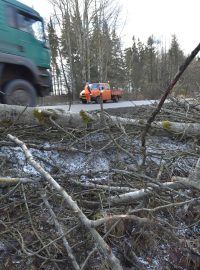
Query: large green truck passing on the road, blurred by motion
point(24, 55)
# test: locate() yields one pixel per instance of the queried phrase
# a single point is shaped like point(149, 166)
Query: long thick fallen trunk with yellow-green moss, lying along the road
point(10, 116)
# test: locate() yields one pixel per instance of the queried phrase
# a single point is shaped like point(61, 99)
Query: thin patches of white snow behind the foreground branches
point(102, 161)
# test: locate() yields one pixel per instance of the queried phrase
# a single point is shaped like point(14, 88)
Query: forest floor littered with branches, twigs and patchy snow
point(96, 167)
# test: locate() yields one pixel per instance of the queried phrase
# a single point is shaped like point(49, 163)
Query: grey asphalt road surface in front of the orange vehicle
point(108, 105)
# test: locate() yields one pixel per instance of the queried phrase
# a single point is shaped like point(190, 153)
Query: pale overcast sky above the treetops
point(142, 18)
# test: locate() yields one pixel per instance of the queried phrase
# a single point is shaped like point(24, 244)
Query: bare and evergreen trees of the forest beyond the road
point(86, 46)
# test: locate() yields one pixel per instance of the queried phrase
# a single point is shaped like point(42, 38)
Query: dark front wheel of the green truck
point(20, 92)
